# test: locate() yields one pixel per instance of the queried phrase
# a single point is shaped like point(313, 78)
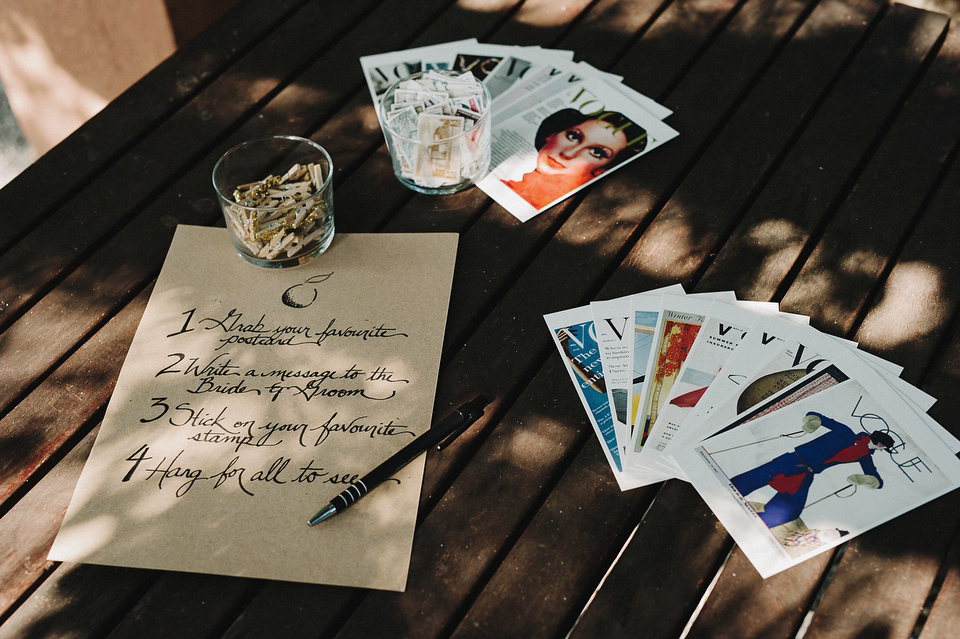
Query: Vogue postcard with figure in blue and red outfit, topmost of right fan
point(820, 471)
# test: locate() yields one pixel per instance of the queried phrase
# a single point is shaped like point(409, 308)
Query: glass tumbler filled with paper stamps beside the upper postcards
point(436, 127)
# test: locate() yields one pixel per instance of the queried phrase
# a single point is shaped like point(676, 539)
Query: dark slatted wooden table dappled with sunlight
point(816, 166)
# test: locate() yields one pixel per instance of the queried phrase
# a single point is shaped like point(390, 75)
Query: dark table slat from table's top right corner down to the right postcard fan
point(817, 172)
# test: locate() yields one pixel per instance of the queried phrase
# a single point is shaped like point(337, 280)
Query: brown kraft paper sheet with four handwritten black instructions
point(250, 397)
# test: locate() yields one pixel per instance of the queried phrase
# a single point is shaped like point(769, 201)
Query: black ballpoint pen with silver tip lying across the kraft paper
point(440, 436)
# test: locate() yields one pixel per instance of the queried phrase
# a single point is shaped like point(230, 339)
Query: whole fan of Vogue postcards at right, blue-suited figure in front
point(798, 441)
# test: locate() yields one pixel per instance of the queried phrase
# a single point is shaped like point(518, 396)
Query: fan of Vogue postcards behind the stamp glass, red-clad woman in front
point(558, 125)
